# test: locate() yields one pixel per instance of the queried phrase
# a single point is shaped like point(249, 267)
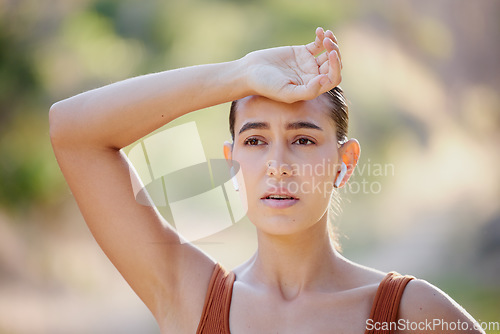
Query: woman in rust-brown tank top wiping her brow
point(282, 121)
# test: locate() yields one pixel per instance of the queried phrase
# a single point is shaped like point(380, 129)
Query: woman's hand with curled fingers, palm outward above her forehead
point(294, 73)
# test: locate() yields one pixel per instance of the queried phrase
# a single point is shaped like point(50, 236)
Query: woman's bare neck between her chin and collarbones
point(294, 263)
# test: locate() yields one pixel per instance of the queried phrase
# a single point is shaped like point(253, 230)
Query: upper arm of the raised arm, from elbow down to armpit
point(165, 273)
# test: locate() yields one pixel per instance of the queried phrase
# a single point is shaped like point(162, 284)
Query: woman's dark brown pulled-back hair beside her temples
point(339, 113)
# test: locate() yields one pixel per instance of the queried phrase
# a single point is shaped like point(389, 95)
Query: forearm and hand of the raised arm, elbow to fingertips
point(118, 114)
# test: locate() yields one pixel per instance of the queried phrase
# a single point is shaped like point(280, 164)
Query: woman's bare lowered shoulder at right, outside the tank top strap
point(425, 306)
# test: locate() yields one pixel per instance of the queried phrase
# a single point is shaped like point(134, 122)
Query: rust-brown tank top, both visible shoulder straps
point(215, 316)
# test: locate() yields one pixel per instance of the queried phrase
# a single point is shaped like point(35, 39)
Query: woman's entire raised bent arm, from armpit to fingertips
point(88, 130)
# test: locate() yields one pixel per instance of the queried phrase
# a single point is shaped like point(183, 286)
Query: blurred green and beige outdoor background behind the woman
point(422, 78)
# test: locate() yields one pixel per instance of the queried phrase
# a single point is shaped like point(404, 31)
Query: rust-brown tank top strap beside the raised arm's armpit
point(215, 315)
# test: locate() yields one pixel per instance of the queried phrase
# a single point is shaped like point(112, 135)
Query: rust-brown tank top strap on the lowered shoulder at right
point(386, 303)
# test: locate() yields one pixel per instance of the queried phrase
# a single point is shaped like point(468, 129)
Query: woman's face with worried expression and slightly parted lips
point(288, 156)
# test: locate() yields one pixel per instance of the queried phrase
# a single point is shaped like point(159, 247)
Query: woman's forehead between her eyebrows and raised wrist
point(258, 108)
